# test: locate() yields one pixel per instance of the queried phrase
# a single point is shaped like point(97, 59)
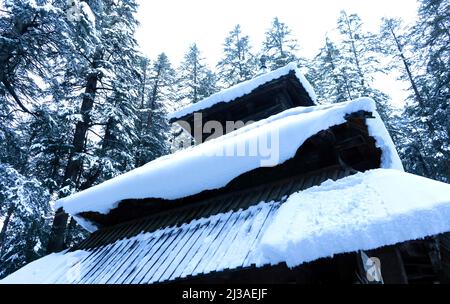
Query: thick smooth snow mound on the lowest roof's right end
point(361, 212)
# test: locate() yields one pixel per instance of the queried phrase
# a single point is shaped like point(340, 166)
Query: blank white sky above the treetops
point(171, 25)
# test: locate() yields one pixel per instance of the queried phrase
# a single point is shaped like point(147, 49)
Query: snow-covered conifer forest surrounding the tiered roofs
point(80, 103)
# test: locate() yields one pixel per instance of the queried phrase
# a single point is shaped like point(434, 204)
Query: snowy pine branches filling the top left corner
point(31, 35)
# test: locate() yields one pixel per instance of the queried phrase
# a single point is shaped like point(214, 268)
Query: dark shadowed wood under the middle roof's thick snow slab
point(348, 144)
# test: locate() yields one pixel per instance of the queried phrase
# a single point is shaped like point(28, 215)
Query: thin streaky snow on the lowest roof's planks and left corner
point(222, 241)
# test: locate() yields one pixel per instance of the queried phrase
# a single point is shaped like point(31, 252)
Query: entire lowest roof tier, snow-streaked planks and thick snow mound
point(360, 212)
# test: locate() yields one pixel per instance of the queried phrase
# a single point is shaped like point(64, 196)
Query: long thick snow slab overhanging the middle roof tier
point(210, 166)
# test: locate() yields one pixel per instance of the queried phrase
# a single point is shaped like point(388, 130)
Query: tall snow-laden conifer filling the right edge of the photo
point(423, 56)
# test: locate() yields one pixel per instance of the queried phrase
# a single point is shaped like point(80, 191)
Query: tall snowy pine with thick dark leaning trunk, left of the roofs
point(103, 68)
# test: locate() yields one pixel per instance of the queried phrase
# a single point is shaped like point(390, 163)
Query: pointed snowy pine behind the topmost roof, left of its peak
point(238, 63)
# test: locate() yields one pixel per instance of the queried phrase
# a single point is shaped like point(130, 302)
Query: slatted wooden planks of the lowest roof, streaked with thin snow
point(209, 237)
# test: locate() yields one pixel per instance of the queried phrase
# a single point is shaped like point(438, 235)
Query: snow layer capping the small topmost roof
point(245, 88)
